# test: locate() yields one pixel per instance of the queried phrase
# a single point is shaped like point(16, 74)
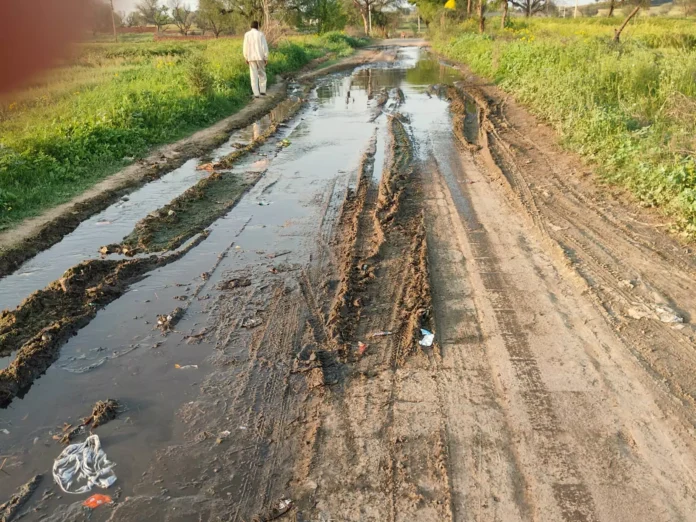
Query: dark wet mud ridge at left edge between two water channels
point(48, 318)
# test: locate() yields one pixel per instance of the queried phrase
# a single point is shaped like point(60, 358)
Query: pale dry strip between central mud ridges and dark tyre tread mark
point(485, 472)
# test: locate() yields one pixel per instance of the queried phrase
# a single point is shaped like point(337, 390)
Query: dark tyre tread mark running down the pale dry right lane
point(570, 492)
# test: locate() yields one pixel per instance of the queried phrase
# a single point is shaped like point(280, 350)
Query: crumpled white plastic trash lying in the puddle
point(86, 463)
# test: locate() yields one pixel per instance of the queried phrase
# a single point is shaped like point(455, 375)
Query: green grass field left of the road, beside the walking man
point(115, 102)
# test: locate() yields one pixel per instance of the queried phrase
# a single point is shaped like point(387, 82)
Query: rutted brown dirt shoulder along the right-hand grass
point(635, 279)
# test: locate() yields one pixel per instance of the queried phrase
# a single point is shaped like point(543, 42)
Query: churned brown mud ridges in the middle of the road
point(381, 228)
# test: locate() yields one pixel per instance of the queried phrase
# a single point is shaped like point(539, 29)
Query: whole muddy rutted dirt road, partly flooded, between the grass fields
point(270, 368)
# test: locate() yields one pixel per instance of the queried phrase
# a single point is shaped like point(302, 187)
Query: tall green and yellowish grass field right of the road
point(630, 108)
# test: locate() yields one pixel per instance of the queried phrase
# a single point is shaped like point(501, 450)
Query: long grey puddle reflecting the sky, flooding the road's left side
point(120, 355)
